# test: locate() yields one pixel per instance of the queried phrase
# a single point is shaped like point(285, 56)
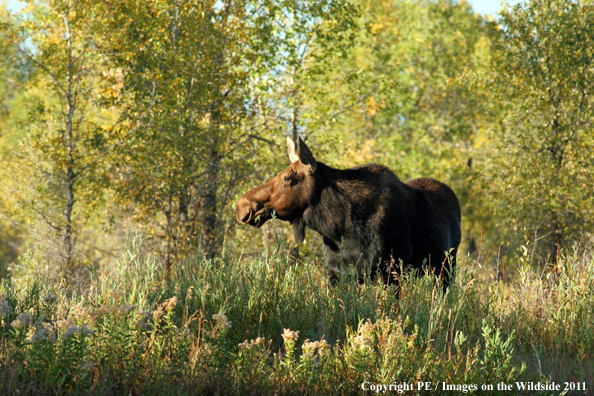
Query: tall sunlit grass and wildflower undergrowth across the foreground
point(241, 326)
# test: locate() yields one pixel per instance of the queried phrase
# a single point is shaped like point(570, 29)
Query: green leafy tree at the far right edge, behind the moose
point(540, 167)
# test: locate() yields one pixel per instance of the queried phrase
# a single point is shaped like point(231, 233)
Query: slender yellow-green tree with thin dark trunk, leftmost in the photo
point(56, 177)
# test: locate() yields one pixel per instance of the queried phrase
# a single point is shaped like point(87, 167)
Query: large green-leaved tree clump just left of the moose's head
point(210, 72)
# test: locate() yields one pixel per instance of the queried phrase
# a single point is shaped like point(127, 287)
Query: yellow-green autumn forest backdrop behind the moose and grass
point(123, 118)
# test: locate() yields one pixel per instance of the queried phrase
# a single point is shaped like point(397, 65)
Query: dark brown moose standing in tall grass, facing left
point(365, 215)
